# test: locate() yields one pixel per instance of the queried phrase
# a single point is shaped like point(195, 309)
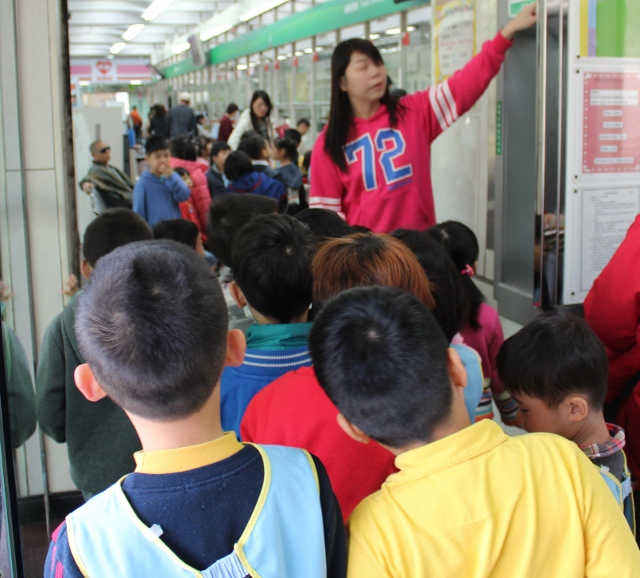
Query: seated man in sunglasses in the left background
point(113, 186)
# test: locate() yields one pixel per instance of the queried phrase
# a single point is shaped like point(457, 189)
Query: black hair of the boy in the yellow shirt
point(382, 359)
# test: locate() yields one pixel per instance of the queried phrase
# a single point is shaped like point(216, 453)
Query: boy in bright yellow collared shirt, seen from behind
point(468, 500)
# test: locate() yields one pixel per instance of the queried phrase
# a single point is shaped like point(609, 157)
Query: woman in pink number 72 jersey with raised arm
point(371, 163)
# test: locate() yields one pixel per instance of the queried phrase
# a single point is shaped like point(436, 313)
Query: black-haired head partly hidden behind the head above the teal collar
point(228, 214)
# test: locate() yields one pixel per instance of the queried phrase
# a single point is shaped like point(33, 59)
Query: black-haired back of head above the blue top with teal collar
point(272, 266)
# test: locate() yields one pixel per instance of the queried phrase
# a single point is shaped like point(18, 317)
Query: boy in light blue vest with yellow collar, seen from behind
point(199, 501)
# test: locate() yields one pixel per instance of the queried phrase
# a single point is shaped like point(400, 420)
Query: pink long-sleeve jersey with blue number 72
point(388, 182)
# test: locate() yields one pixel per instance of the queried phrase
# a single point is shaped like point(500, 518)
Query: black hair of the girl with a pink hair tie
point(462, 245)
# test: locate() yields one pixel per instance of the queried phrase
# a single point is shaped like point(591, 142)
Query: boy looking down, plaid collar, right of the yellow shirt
point(556, 369)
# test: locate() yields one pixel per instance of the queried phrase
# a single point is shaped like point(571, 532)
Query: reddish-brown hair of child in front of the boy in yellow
point(366, 259)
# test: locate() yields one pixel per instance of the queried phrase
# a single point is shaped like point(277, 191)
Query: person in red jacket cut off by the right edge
point(612, 309)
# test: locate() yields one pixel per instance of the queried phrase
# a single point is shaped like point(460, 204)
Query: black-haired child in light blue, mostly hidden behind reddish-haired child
point(451, 306)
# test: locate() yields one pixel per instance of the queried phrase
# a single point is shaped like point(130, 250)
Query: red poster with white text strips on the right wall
point(611, 124)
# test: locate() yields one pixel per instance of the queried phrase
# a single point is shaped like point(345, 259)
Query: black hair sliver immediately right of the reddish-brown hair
point(451, 303)
